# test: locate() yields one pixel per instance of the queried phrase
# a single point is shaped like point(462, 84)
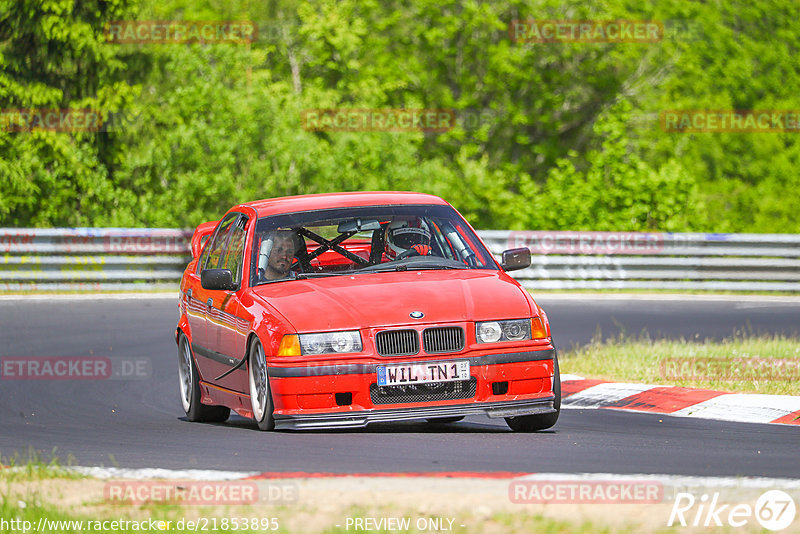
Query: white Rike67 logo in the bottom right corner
point(774, 510)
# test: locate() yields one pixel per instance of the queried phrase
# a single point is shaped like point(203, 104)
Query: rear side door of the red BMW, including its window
point(202, 301)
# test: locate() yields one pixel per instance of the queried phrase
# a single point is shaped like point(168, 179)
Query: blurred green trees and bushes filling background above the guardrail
point(549, 135)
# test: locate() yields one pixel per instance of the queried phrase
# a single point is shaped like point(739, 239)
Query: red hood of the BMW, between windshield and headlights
point(386, 299)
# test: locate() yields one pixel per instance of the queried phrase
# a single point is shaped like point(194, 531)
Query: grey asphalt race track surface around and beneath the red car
point(139, 422)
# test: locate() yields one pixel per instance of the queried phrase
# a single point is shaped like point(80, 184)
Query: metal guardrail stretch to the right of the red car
point(638, 260)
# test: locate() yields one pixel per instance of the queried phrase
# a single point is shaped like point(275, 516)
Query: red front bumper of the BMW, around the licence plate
point(306, 396)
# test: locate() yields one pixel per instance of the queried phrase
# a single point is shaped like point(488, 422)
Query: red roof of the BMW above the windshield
point(274, 206)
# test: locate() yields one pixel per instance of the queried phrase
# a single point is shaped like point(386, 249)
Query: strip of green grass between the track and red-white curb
point(741, 364)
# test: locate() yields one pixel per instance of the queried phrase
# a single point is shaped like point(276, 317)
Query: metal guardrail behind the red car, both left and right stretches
point(128, 259)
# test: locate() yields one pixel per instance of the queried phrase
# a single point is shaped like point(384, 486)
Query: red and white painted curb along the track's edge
point(580, 393)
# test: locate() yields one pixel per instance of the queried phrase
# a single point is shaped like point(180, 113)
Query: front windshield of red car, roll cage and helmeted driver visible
point(364, 240)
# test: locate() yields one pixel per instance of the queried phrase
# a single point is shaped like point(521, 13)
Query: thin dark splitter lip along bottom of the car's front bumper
point(363, 418)
